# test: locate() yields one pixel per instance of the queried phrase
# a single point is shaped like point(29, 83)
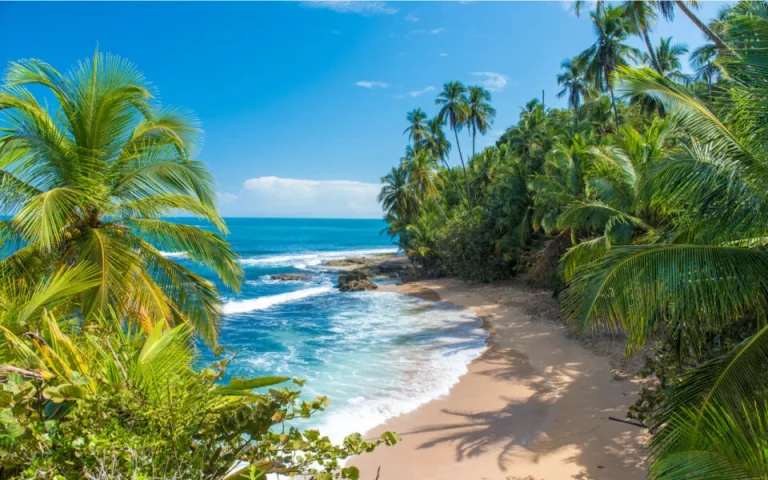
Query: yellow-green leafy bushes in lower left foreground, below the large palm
point(115, 405)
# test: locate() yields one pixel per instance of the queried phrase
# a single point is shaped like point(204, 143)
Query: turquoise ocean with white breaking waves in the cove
point(375, 355)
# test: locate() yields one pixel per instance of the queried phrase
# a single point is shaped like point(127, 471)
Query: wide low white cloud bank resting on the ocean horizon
point(290, 197)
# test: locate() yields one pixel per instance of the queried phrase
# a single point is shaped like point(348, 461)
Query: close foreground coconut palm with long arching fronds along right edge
point(714, 271)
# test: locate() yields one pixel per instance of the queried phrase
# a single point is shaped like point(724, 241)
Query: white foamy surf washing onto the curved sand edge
point(443, 340)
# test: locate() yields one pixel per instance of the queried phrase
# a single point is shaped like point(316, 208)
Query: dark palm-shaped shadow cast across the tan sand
point(520, 426)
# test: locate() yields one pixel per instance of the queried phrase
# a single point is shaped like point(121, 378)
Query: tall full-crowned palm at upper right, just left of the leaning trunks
point(608, 52)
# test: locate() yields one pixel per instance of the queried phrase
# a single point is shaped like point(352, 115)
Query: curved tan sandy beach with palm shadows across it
point(534, 406)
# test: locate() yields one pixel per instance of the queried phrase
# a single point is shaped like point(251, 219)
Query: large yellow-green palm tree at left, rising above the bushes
point(89, 184)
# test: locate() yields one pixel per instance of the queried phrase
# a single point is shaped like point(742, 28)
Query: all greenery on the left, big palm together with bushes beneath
point(100, 373)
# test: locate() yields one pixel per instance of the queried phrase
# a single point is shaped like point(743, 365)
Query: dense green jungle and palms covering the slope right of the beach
point(642, 205)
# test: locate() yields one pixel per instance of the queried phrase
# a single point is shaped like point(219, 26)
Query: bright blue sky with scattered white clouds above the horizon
point(303, 103)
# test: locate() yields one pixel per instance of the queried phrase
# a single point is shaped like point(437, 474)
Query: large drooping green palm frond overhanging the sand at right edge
point(636, 288)
